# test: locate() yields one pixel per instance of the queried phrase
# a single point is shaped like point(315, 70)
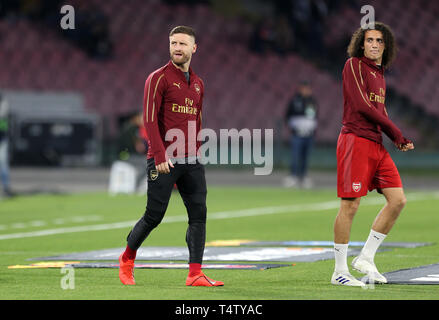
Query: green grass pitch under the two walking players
point(419, 222)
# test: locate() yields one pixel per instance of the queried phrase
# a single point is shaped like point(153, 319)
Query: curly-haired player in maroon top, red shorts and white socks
point(363, 164)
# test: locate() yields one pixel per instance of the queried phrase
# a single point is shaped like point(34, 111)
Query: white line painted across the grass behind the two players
point(321, 206)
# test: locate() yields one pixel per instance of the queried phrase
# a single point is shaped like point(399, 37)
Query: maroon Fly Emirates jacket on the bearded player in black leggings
point(170, 103)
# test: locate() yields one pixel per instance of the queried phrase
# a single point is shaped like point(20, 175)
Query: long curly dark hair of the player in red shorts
point(356, 46)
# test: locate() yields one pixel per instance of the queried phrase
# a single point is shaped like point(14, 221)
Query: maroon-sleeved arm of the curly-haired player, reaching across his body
point(354, 84)
